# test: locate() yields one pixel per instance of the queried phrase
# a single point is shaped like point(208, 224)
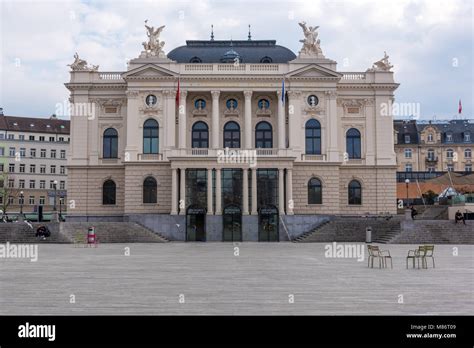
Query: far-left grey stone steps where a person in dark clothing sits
point(20, 232)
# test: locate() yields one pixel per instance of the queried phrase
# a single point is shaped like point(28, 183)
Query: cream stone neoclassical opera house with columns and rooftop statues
point(230, 140)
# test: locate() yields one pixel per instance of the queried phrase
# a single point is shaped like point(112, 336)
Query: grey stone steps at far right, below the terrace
point(435, 232)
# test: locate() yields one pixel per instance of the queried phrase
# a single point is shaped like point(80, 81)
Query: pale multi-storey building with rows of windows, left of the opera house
point(33, 161)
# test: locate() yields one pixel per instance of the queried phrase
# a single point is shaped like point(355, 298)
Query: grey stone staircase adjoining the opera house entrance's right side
point(352, 229)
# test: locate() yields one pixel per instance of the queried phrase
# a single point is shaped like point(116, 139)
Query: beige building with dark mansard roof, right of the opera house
point(434, 146)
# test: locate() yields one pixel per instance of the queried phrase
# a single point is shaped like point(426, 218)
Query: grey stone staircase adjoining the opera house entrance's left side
point(113, 232)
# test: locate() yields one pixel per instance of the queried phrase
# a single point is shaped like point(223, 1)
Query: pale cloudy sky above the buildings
point(430, 43)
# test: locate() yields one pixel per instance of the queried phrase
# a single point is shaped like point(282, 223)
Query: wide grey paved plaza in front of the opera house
point(262, 280)
